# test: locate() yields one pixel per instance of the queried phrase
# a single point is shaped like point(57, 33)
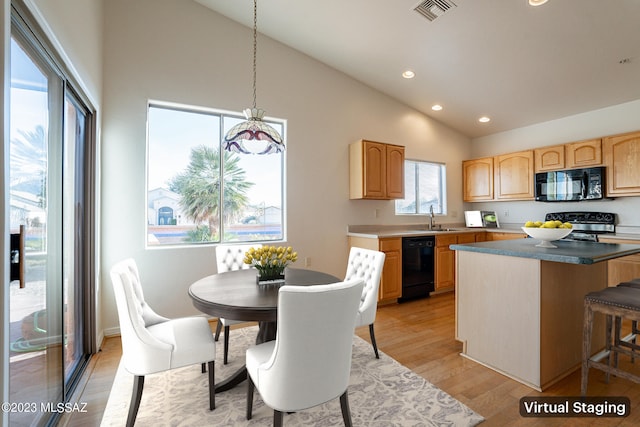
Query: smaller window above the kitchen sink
point(424, 189)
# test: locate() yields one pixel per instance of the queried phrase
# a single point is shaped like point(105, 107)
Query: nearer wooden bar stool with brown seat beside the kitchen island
point(619, 302)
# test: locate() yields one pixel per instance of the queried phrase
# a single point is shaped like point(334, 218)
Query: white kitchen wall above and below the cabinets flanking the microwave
point(594, 124)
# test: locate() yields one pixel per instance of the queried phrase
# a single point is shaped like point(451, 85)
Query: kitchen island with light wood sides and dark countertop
point(519, 307)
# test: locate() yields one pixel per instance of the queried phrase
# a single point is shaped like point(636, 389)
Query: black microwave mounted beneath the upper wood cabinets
point(570, 185)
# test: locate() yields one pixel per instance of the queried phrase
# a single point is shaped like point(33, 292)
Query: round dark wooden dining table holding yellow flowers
point(236, 295)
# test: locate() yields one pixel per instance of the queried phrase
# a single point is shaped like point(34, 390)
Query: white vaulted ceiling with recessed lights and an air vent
point(504, 59)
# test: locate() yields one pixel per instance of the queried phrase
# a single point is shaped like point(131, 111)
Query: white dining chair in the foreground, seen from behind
point(309, 362)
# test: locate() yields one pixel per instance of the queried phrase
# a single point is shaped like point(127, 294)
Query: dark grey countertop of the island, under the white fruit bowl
point(569, 252)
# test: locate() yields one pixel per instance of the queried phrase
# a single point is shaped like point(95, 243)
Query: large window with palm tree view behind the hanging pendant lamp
point(198, 193)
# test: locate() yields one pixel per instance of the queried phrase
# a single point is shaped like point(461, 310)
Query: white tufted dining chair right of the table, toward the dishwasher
point(367, 265)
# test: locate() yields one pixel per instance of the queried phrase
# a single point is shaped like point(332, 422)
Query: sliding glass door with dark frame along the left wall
point(49, 290)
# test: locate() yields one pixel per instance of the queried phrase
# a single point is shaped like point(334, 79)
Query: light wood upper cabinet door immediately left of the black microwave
point(514, 176)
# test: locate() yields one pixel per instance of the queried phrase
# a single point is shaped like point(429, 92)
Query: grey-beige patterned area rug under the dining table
point(382, 392)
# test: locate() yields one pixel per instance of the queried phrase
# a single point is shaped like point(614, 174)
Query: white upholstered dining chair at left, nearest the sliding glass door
point(152, 343)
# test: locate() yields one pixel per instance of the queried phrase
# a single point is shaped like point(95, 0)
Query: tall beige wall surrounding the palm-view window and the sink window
point(179, 51)
